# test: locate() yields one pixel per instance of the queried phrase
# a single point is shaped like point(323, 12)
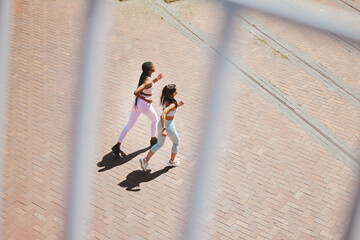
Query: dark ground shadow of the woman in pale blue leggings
point(136, 177)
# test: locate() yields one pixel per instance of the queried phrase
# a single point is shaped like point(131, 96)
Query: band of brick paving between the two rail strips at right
point(316, 98)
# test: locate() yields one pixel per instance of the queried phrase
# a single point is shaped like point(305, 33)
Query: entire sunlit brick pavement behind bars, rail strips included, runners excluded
point(277, 178)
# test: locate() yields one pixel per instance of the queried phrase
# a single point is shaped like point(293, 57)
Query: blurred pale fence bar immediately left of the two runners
point(88, 106)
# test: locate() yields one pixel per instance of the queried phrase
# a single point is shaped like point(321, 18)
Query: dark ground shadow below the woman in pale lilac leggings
point(110, 160)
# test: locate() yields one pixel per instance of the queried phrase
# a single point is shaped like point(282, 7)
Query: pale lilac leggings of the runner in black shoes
point(141, 107)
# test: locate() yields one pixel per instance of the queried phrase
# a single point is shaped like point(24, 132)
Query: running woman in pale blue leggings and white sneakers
point(166, 126)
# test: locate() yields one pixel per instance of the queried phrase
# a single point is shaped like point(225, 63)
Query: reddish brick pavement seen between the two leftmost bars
point(45, 60)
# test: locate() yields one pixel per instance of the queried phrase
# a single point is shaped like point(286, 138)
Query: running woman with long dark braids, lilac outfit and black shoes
point(142, 104)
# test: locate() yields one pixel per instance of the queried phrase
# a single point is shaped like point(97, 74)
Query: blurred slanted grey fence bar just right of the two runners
point(217, 103)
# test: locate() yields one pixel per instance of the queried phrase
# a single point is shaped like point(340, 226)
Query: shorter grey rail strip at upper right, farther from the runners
point(318, 71)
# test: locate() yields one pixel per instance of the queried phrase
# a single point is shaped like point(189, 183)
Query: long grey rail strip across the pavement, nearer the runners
point(331, 141)
